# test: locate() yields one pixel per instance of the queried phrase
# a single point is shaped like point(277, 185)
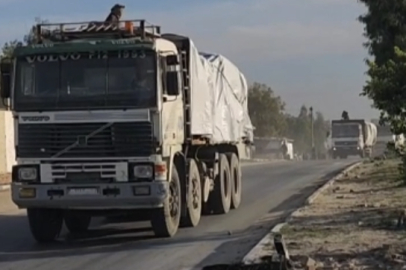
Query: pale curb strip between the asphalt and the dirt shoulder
point(255, 254)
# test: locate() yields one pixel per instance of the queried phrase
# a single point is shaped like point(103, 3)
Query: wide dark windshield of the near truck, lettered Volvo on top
point(86, 81)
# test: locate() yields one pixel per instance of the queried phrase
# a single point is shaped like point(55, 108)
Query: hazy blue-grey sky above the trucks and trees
point(308, 51)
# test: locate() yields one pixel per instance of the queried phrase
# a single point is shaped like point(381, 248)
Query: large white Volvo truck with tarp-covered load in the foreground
point(121, 119)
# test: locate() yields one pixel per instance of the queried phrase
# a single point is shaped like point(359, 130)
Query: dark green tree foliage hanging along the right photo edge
point(385, 30)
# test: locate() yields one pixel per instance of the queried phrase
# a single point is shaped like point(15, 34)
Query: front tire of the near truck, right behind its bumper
point(165, 221)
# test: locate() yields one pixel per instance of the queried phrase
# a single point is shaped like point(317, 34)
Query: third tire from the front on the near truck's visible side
point(220, 199)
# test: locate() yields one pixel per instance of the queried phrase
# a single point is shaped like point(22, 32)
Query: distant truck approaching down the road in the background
point(353, 137)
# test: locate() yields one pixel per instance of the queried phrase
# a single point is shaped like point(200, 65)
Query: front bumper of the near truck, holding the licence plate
point(109, 196)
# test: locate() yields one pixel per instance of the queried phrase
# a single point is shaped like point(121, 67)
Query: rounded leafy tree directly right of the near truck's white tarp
point(266, 111)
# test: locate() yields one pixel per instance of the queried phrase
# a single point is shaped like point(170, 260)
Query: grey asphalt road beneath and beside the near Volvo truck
point(270, 191)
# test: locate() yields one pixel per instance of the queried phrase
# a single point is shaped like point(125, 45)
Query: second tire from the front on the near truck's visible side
point(194, 197)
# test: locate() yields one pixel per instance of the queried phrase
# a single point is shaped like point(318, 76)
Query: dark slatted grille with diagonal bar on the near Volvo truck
point(117, 140)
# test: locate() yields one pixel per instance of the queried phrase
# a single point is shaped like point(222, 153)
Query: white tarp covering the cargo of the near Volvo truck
point(219, 96)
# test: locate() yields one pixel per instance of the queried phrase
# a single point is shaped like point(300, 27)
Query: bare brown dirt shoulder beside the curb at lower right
point(353, 224)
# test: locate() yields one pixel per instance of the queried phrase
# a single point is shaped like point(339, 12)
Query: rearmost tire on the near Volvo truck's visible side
point(236, 185)
